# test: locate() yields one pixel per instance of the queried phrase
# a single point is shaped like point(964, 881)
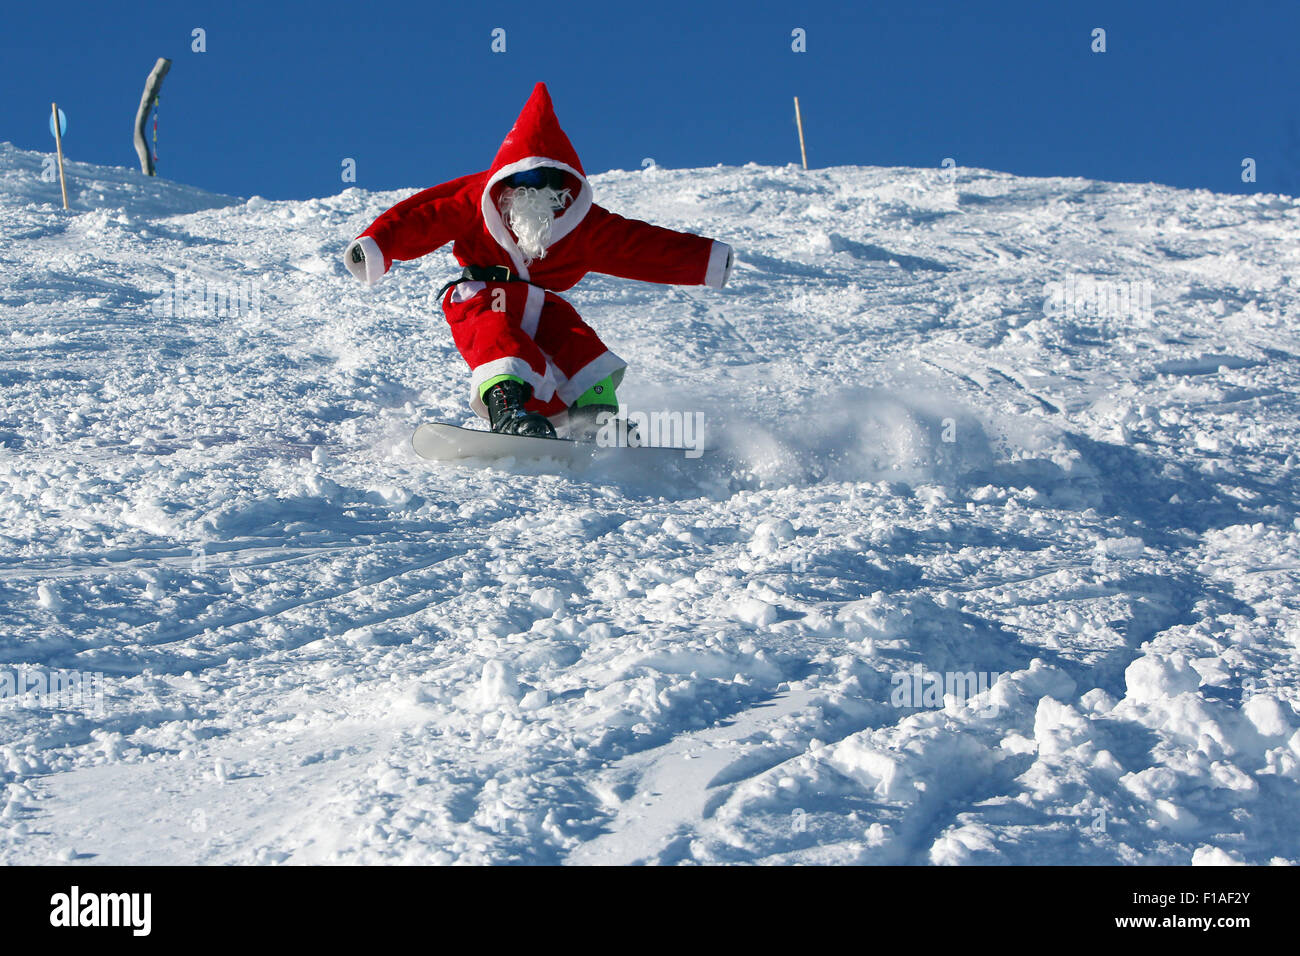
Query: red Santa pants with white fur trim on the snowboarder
point(515, 328)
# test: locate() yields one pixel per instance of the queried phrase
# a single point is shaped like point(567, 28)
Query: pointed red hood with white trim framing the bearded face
point(536, 140)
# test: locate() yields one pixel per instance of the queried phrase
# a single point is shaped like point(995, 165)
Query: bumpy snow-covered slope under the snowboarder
point(319, 648)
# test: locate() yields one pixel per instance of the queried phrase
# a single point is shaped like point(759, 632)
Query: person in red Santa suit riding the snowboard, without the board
point(526, 230)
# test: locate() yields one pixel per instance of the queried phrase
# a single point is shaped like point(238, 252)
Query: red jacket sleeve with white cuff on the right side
point(631, 249)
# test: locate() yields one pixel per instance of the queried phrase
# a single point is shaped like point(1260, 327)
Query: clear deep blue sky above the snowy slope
point(414, 94)
